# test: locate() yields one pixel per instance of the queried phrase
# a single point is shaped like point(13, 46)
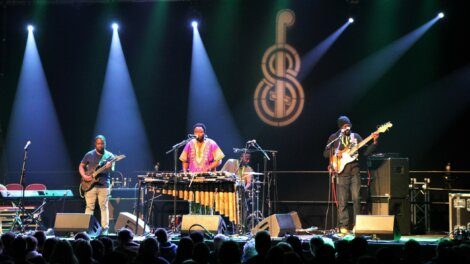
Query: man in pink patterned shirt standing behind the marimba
point(201, 154)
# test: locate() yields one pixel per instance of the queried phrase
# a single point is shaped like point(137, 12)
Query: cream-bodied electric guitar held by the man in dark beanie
point(341, 158)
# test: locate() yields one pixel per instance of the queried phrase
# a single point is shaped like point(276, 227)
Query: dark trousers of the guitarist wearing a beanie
point(344, 186)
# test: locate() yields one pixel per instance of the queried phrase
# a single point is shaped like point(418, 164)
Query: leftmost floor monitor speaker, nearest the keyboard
point(76, 222)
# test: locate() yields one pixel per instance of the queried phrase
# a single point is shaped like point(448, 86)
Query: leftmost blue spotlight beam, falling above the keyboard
point(34, 118)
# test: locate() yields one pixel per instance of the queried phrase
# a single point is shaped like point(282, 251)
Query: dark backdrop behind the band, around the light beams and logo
point(418, 93)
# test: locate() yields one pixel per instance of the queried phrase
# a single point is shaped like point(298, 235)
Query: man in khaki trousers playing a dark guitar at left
point(93, 159)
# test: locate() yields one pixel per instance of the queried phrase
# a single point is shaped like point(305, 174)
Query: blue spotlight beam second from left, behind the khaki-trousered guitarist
point(119, 117)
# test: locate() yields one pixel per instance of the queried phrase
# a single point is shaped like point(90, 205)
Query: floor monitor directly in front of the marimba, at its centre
point(212, 223)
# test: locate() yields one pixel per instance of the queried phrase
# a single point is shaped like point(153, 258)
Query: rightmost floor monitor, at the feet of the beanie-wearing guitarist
point(382, 226)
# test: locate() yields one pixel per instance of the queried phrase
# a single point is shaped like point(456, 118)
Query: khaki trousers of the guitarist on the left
point(103, 198)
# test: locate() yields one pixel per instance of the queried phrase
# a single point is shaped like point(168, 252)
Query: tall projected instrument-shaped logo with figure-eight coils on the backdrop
point(279, 97)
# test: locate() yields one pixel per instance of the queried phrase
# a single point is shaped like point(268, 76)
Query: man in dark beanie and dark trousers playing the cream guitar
point(349, 180)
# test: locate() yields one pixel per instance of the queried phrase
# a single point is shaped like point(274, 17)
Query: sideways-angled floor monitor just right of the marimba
point(277, 224)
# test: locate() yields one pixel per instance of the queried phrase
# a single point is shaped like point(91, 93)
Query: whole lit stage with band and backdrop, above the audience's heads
point(308, 113)
